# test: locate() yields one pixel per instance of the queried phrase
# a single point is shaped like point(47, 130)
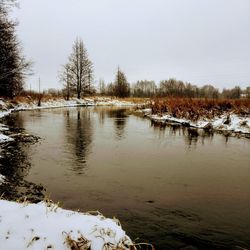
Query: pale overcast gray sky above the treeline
point(200, 41)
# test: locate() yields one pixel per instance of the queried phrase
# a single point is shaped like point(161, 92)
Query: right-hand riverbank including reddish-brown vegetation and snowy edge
point(230, 117)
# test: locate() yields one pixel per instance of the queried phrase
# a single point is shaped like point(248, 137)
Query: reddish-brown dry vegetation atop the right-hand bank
point(194, 109)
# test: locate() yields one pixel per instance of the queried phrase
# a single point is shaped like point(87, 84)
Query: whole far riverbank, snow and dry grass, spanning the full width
point(230, 117)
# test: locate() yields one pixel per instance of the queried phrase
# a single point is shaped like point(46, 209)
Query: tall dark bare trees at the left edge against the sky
point(13, 66)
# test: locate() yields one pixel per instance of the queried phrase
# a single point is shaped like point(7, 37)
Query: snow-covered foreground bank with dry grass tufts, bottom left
point(46, 226)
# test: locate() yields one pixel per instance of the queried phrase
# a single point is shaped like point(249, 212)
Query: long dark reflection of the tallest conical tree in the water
point(79, 131)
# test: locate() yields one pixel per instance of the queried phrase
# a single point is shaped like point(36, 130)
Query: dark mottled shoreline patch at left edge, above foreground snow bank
point(14, 166)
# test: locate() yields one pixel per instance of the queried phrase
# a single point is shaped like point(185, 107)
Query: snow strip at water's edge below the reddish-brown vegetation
point(227, 122)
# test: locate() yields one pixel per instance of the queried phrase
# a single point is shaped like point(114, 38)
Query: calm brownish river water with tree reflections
point(167, 186)
